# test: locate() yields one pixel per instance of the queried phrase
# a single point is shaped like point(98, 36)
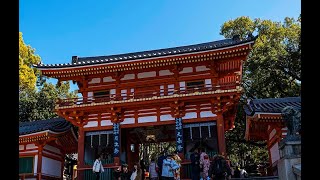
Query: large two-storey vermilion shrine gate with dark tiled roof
point(186, 95)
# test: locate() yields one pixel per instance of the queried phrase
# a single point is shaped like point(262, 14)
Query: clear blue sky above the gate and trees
point(60, 29)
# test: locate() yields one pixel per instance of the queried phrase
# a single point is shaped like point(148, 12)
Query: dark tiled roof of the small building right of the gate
point(271, 105)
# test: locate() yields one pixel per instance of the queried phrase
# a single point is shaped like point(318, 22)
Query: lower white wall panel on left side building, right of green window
point(51, 167)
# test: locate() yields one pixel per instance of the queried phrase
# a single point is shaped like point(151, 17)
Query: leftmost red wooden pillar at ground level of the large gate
point(80, 153)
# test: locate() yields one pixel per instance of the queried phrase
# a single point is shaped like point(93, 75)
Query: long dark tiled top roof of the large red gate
point(83, 61)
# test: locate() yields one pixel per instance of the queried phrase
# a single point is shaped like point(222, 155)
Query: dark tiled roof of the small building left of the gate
point(54, 124)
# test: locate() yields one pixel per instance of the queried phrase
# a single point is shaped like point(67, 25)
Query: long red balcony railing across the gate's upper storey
point(145, 94)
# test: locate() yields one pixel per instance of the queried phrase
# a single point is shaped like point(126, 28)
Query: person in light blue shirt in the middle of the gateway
point(168, 168)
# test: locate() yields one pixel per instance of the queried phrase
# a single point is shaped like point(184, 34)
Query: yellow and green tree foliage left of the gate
point(36, 101)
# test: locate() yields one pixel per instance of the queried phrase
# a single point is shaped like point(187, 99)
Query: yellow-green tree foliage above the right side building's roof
point(273, 68)
